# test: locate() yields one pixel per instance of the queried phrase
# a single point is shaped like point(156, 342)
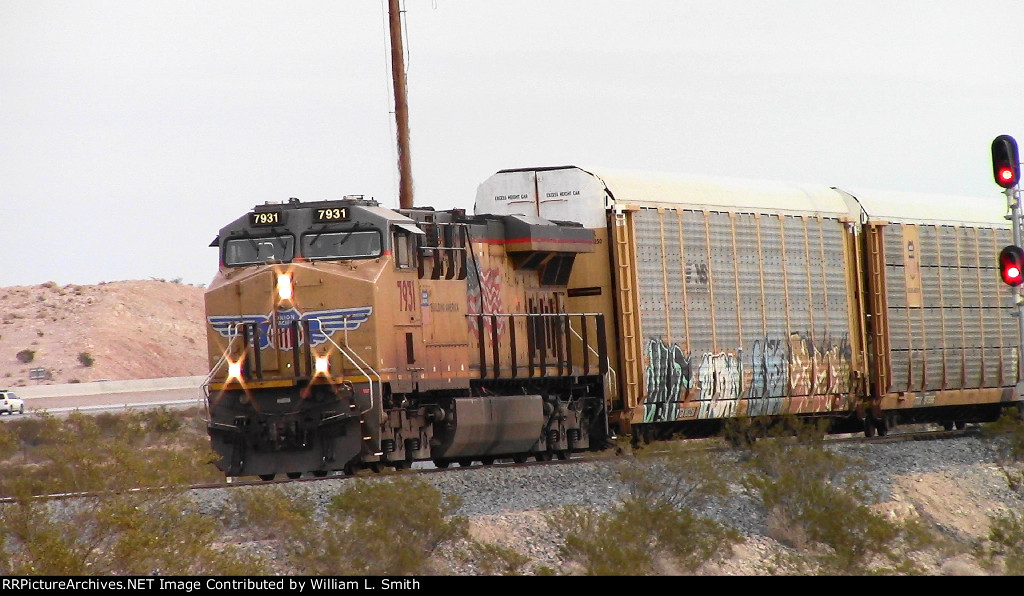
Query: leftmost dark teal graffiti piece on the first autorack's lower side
point(668, 376)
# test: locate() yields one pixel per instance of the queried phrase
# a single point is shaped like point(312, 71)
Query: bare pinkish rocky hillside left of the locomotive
point(117, 330)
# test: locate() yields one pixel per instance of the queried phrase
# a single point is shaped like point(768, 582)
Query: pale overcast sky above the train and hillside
point(132, 132)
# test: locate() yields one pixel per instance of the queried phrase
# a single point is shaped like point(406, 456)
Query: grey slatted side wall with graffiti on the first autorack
point(743, 314)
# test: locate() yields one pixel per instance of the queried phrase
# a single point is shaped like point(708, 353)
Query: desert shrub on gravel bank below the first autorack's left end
point(655, 527)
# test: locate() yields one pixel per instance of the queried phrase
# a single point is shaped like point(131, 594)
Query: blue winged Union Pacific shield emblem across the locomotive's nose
point(323, 324)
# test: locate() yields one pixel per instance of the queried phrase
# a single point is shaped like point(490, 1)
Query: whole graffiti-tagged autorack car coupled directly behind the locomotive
point(719, 288)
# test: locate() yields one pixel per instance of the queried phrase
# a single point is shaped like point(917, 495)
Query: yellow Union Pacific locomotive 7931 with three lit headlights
point(344, 335)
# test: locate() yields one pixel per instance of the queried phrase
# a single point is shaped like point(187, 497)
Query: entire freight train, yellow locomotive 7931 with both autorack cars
point(577, 305)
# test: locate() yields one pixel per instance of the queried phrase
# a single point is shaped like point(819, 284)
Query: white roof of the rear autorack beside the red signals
point(933, 209)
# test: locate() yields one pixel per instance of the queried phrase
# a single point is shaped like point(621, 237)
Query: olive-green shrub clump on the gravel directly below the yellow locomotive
point(389, 527)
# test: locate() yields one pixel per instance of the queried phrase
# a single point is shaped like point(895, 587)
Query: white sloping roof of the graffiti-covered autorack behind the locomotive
point(655, 189)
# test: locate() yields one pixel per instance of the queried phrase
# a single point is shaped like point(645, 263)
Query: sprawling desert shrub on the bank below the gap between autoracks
point(820, 506)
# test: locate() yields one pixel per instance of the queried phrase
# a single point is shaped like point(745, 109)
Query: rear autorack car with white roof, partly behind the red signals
point(951, 323)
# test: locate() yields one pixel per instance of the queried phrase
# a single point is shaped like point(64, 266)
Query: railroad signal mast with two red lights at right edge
point(1007, 173)
